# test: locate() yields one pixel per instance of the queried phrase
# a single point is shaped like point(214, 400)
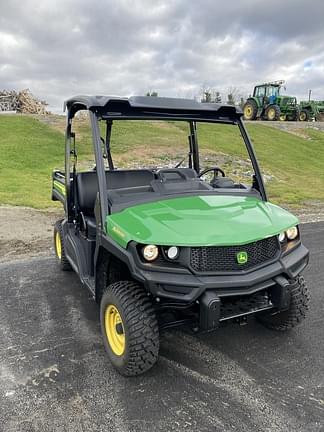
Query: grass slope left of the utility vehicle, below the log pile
point(29, 152)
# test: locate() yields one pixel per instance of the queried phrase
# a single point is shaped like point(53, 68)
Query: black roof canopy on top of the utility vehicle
point(152, 107)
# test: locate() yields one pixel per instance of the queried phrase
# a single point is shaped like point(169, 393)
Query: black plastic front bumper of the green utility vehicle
point(223, 296)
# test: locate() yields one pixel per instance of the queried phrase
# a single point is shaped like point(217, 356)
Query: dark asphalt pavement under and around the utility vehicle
point(55, 376)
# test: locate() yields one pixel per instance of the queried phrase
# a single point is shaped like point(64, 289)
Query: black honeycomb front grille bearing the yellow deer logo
point(224, 258)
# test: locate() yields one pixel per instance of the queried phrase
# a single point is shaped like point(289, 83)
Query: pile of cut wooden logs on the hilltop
point(22, 101)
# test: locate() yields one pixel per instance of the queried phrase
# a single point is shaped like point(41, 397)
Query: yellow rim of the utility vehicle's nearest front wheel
point(115, 330)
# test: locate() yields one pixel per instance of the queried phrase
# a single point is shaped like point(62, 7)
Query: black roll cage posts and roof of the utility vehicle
point(110, 109)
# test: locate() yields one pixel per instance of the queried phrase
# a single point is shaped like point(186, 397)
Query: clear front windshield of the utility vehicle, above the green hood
point(141, 161)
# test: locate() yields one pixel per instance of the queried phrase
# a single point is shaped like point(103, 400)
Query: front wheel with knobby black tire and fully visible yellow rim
point(129, 328)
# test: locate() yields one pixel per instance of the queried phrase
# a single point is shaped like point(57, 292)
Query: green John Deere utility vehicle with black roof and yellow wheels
point(161, 248)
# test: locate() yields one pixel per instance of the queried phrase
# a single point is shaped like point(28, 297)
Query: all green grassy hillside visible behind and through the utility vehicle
point(31, 149)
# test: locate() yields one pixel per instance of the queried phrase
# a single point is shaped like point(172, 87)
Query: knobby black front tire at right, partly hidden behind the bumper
point(296, 313)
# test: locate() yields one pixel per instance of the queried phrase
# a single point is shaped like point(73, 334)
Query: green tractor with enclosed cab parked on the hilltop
point(267, 104)
